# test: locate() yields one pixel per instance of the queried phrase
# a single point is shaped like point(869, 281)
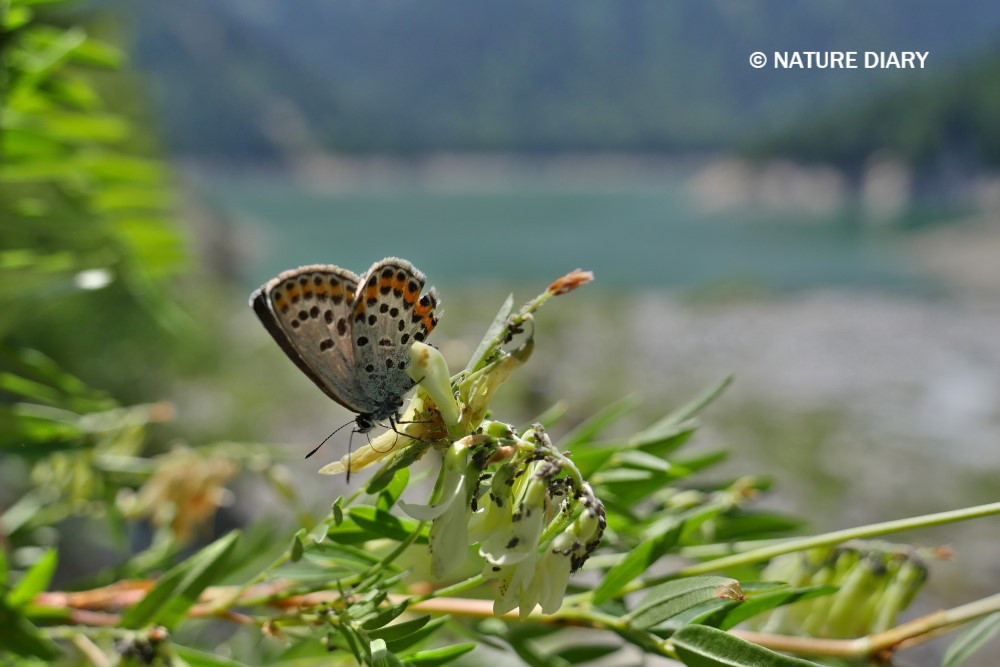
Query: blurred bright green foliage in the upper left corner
point(85, 221)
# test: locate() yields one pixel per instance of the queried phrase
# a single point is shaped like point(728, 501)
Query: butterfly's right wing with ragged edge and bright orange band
point(388, 316)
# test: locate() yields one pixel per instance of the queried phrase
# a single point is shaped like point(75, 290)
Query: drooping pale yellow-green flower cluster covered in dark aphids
point(534, 520)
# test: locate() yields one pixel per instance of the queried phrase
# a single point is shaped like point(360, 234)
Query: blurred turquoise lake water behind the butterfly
point(640, 238)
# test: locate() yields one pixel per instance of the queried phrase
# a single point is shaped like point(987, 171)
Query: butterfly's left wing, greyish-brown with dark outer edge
point(308, 313)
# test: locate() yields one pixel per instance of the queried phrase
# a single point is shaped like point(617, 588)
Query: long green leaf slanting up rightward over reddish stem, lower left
point(178, 589)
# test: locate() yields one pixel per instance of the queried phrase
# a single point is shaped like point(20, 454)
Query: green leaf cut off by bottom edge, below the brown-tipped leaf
point(702, 646)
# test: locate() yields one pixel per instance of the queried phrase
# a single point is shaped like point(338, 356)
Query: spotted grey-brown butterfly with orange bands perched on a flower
point(351, 336)
